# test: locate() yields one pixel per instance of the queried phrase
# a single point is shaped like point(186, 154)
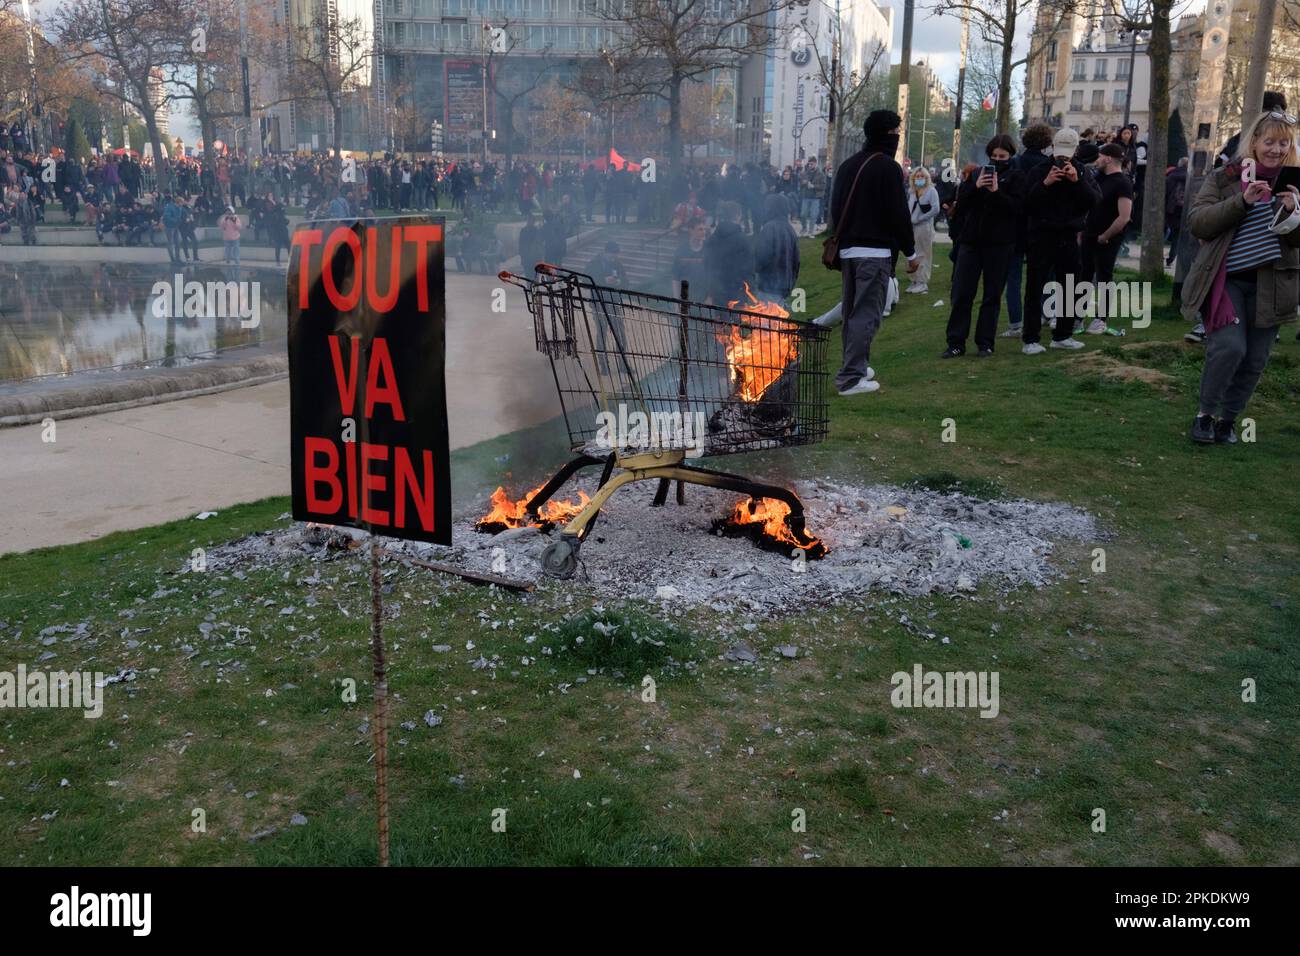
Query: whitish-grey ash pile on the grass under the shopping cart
point(911, 542)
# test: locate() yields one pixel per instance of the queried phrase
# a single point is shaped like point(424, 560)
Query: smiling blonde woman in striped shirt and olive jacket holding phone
point(1246, 278)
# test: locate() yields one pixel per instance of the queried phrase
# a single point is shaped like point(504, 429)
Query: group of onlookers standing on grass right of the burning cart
point(1056, 210)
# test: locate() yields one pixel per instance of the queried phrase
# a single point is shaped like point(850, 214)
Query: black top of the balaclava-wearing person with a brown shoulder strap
point(879, 217)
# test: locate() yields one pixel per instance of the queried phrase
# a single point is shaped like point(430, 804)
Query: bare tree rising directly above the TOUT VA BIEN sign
point(330, 59)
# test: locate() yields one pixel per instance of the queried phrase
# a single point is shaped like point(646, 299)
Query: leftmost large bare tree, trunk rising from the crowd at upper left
point(135, 42)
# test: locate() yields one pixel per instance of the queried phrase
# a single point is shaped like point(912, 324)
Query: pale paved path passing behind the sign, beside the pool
point(157, 464)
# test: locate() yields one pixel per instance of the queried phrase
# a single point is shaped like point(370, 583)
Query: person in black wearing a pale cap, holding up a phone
point(1056, 206)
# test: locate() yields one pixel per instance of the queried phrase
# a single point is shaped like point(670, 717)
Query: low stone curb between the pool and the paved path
point(145, 387)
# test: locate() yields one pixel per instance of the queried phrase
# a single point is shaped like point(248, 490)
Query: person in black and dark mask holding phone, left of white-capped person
point(990, 202)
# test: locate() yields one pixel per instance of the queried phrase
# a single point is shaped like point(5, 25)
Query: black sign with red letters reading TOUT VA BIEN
point(367, 352)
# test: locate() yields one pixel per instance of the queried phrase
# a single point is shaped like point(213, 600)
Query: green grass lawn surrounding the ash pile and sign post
point(1120, 690)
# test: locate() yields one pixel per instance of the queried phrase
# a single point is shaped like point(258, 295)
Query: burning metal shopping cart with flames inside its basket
point(648, 382)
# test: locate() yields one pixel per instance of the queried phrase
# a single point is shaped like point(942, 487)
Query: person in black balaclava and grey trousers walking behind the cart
point(870, 232)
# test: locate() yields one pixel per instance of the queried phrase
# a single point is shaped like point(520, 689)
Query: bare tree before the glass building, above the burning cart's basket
point(671, 42)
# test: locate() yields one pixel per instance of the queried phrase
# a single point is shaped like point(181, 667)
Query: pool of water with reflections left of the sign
point(63, 318)
